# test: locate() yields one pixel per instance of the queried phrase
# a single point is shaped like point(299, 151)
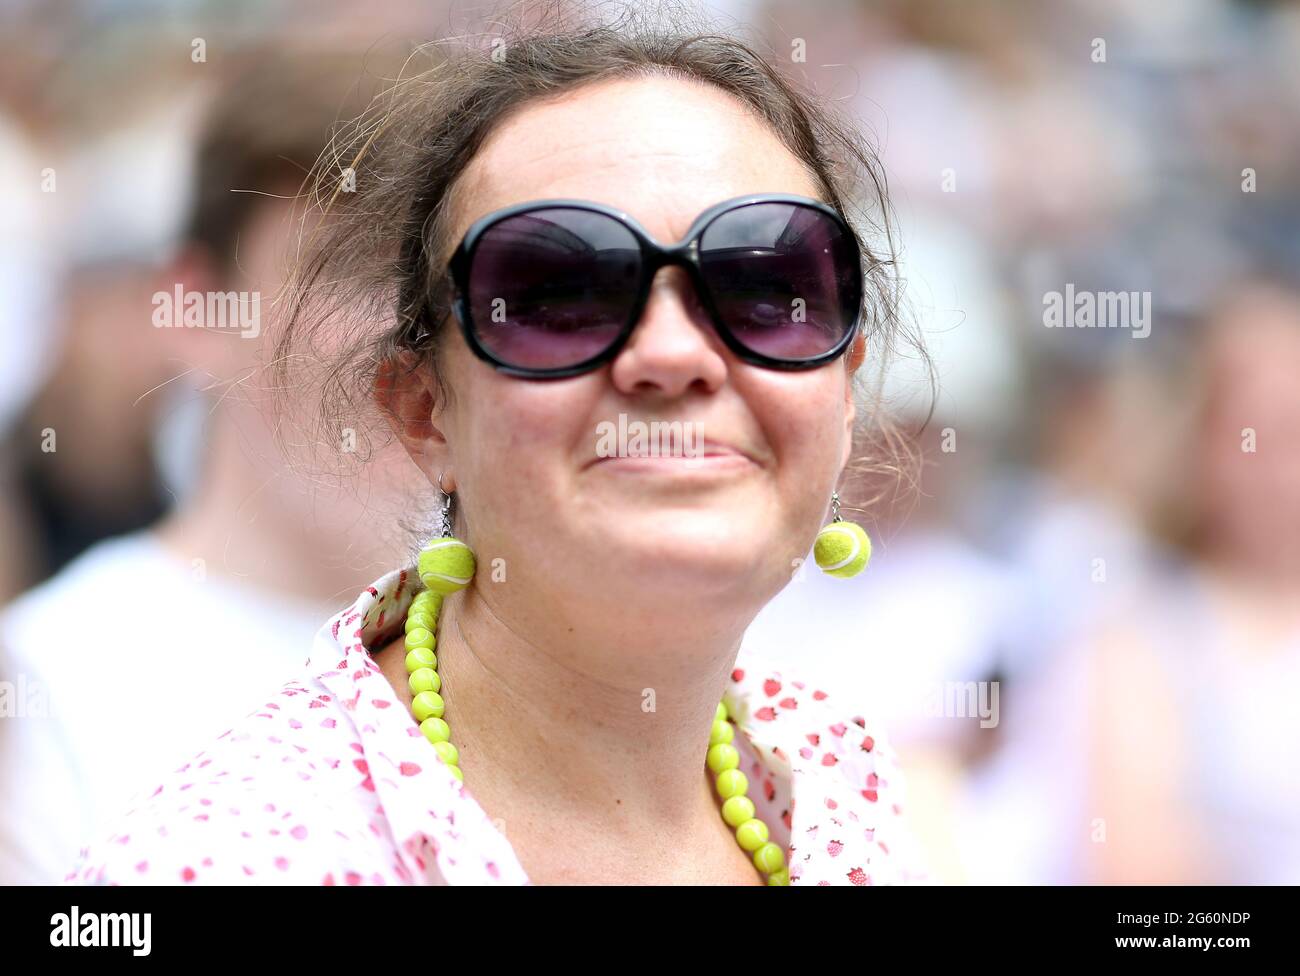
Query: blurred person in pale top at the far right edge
point(1194, 773)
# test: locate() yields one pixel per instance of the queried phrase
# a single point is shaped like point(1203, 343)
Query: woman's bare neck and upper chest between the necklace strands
point(597, 725)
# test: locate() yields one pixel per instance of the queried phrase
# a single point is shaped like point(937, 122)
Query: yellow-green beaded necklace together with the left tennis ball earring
point(447, 565)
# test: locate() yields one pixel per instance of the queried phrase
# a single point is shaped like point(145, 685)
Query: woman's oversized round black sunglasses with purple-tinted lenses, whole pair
point(552, 289)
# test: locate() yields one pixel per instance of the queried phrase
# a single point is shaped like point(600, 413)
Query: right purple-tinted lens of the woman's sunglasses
point(785, 277)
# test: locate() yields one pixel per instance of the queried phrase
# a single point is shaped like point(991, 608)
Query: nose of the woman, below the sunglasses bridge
point(674, 346)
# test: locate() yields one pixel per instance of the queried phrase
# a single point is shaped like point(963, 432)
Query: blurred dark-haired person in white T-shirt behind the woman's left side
point(151, 631)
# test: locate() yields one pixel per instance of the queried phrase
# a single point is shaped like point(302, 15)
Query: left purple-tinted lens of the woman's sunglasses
point(553, 288)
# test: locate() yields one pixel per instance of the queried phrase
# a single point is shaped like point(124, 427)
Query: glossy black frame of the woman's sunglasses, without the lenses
point(655, 257)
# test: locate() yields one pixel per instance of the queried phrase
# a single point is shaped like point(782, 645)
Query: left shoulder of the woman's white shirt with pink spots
point(281, 797)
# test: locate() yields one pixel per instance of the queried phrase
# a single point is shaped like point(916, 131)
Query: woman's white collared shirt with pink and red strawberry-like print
point(333, 783)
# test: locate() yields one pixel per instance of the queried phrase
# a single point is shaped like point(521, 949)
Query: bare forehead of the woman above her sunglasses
point(661, 150)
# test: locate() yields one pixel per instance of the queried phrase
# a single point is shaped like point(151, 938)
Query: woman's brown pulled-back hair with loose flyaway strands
point(388, 189)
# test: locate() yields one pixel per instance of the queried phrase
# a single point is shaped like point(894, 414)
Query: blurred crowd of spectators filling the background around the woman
point(1082, 621)
